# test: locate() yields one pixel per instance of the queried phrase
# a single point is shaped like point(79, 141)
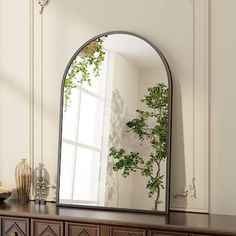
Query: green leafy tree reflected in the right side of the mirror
point(150, 125)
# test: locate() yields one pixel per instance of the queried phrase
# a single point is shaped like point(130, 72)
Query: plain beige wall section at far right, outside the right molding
point(223, 100)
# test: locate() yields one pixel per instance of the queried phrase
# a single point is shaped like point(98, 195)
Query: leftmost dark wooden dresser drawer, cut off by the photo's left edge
point(11, 226)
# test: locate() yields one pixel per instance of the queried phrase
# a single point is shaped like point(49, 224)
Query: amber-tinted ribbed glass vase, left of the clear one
point(23, 181)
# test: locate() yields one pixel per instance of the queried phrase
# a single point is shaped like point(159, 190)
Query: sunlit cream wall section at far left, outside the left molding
point(14, 87)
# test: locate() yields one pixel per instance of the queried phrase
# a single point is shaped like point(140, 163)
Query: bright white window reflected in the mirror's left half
point(84, 135)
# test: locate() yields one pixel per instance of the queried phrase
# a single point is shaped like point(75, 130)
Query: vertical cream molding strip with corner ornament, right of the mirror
point(194, 196)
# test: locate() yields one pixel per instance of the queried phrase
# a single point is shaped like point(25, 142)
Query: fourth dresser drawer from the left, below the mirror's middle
point(120, 231)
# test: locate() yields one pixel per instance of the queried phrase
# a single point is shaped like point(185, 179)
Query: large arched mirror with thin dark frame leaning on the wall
point(115, 129)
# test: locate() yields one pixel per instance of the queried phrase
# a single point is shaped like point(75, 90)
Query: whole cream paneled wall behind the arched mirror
point(169, 25)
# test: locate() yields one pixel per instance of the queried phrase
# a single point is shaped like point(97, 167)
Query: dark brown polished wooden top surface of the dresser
point(194, 222)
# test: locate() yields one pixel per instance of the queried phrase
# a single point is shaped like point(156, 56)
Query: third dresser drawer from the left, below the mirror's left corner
point(75, 229)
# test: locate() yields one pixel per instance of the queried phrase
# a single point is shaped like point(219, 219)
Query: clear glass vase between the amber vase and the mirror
point(41, 184)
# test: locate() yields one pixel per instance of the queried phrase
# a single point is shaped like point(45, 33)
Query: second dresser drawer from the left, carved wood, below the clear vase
point(46, 228)
